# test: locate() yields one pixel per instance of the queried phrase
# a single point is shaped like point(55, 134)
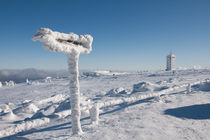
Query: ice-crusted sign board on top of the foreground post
point(61, 42)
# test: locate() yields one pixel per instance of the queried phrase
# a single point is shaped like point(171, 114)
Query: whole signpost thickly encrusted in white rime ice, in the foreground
point(73, 45)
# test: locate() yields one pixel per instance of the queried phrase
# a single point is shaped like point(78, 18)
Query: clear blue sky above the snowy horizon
point(128, 34)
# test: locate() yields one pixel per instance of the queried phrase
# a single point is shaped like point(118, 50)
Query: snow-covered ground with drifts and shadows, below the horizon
point(41, 109)
